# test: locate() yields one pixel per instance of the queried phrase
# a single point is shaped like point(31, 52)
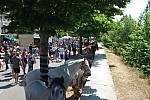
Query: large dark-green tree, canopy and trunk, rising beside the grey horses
point(50, 15)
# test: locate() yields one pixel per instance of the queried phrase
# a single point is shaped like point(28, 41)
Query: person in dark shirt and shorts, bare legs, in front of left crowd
point(16, 61)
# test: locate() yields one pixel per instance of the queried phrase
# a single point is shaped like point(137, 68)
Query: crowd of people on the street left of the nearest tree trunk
point(17, 59)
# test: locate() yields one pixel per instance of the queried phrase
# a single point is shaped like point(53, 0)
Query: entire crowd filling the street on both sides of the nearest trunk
point(57, 51)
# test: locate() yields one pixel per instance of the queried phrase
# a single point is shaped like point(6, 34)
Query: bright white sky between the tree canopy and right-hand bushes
point(134, 8)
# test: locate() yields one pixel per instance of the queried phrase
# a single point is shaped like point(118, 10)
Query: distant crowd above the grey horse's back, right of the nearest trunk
point(62, 50)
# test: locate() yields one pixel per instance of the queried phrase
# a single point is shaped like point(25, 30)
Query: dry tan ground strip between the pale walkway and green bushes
point(129, 83)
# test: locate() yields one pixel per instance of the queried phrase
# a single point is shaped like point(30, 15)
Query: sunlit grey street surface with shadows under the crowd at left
point(11, 91)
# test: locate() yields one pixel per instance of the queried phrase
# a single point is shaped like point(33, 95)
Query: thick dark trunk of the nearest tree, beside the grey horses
point(44, 57)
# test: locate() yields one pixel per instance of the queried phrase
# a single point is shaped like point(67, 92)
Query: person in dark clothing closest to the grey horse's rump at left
point(31, 60)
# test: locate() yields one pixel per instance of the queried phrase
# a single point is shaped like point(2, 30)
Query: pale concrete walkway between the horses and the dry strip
point(99, 85)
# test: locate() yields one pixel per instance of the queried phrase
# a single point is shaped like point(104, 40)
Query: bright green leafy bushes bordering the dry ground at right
point(130, 38)
